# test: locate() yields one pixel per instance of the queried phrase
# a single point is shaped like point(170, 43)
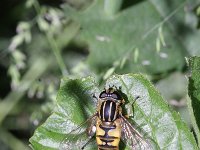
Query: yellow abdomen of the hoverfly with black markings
point(108, 135)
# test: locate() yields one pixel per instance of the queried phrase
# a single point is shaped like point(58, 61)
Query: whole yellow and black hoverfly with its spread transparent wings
point(108, 126)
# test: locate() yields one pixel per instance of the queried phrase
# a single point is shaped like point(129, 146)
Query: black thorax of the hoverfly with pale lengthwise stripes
point(108, 111)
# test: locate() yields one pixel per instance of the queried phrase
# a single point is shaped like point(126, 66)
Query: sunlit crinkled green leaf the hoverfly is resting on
point(151, 113)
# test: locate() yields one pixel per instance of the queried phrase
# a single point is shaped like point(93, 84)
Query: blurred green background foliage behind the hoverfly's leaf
point(42, 41)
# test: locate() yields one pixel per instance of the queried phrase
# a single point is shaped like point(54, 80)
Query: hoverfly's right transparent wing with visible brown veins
point(131, 137)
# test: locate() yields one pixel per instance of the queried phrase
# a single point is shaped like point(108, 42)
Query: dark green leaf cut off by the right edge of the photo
point(194, 94)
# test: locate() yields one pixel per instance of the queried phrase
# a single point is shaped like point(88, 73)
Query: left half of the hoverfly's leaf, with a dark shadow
point(74, 105)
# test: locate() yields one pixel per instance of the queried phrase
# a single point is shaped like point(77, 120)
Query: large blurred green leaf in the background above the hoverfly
point(111, 38)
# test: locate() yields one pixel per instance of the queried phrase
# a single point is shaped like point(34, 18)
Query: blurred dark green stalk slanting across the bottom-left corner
point(12, 141)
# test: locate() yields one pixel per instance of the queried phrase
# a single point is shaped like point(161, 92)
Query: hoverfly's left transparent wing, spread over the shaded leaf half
point(81, 137)
